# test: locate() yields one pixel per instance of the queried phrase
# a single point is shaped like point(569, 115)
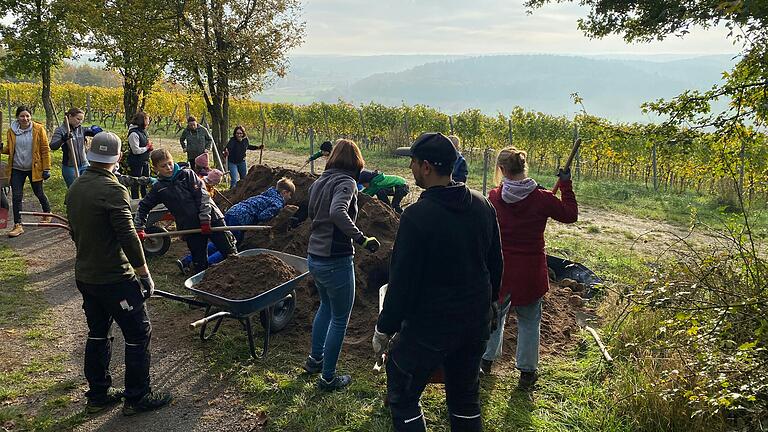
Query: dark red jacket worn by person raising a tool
point(522, 227)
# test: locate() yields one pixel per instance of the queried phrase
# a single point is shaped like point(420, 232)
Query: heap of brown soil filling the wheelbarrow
point(246, 277)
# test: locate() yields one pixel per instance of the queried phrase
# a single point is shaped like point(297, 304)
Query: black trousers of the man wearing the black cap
point(411, 363)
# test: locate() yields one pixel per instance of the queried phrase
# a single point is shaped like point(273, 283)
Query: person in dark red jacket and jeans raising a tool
point(523, 208)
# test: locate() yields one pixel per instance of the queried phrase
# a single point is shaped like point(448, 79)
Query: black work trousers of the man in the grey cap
point(122, 303)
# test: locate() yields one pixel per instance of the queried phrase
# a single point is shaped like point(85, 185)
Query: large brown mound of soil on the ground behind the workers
point(558, 324)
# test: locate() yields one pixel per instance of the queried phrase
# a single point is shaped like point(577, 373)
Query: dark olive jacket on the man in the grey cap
point(99, 214)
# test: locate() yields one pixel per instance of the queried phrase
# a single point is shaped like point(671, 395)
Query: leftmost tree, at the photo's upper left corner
point(41, 35)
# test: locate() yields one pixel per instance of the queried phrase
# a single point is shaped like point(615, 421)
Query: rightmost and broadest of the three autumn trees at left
point(233, 48)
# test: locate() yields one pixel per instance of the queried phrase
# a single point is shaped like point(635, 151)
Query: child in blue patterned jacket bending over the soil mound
point(252, 211)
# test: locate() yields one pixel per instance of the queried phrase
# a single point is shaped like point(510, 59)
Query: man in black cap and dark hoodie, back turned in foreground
point(438, 300)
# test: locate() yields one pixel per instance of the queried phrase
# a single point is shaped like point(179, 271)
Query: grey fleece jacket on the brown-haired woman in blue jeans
point(333, 211)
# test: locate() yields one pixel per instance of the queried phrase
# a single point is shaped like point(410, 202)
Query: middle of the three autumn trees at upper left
point(134, 38)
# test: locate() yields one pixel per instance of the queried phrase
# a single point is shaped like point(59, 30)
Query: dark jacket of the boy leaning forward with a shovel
point(185, 197)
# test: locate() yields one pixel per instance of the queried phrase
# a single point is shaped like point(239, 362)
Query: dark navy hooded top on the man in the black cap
point(436, 293)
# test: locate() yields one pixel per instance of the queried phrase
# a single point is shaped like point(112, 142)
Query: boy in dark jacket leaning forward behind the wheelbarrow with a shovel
point(185, 196)
